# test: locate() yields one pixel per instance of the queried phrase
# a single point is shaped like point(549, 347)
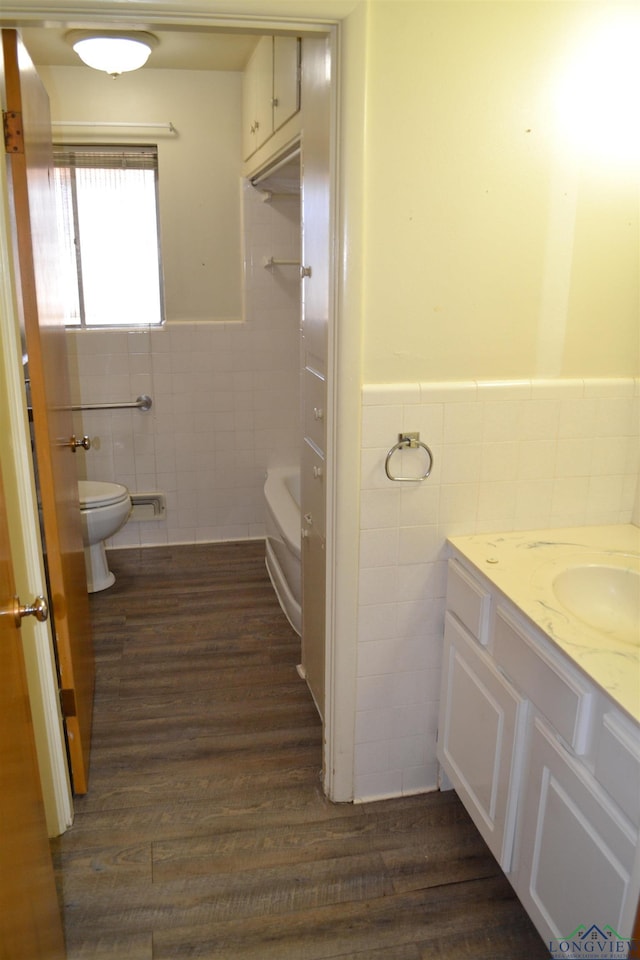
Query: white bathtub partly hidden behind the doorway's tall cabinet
point(282, 527)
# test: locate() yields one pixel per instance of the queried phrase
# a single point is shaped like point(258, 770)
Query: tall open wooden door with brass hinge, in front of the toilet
point(26, 107)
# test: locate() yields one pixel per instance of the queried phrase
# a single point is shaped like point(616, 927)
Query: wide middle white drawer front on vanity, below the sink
point(558, 692)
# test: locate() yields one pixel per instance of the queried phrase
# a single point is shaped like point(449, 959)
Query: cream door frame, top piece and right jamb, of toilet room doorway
point(340, 669)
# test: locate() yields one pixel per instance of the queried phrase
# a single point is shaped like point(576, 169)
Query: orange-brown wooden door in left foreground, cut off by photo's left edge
point(30, 923)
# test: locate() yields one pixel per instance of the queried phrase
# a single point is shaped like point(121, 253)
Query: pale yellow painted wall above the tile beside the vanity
point(493, 248)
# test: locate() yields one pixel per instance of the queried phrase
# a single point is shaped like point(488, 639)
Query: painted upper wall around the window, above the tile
point(199, 171)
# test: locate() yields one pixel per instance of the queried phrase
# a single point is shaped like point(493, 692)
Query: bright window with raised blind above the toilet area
point(107, 203)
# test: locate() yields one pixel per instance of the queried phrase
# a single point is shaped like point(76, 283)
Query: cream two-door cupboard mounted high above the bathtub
point(270, 90)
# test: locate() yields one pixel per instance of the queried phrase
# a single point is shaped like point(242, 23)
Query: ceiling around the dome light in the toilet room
point(176, 50)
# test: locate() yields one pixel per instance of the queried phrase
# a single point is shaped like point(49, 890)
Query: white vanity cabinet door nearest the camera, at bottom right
point(575, 851)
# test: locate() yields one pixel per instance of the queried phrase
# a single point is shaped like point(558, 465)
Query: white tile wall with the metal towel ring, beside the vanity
point(507, 455)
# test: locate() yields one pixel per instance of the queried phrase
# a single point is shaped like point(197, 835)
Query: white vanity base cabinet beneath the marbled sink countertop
point(545, 762)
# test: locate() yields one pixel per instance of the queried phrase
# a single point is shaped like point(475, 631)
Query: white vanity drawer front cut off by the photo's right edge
point(617, 763)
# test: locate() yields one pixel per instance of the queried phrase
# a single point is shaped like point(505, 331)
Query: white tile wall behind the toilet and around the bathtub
point(225, 398)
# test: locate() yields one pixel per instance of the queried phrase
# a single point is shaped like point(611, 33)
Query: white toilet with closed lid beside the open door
point(104, 508)
